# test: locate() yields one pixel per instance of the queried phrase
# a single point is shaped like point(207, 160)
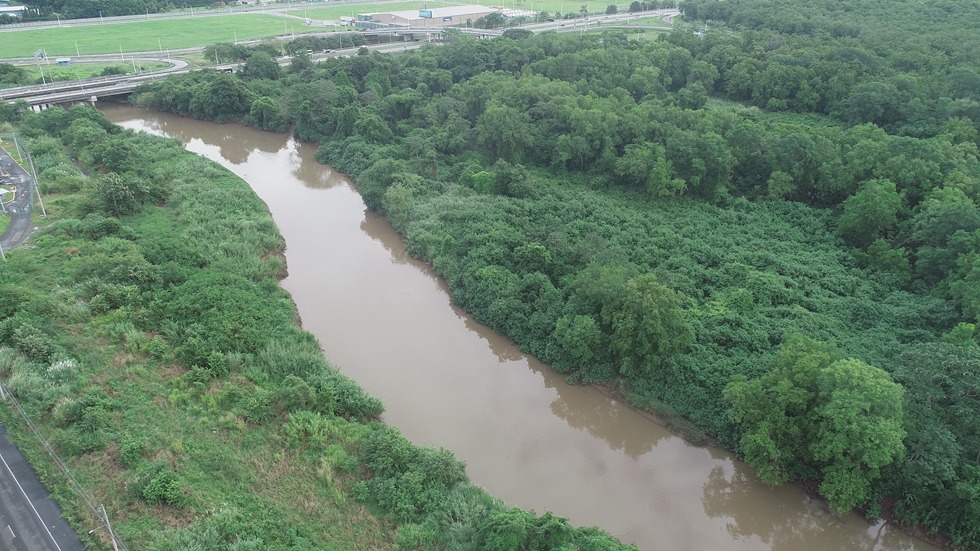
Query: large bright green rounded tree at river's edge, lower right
point(815, 415)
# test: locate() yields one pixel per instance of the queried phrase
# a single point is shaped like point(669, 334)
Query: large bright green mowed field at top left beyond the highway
point(149, 35)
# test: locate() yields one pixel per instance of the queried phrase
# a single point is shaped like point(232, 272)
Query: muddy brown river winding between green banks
point(386, 320)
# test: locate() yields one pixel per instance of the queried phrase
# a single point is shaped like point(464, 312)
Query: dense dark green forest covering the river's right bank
point(770, 228)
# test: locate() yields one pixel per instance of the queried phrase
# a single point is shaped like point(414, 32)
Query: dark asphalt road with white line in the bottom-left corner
point(29, 519)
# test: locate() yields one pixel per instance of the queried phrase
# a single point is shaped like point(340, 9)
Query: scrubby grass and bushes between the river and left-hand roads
point(144, 330)
